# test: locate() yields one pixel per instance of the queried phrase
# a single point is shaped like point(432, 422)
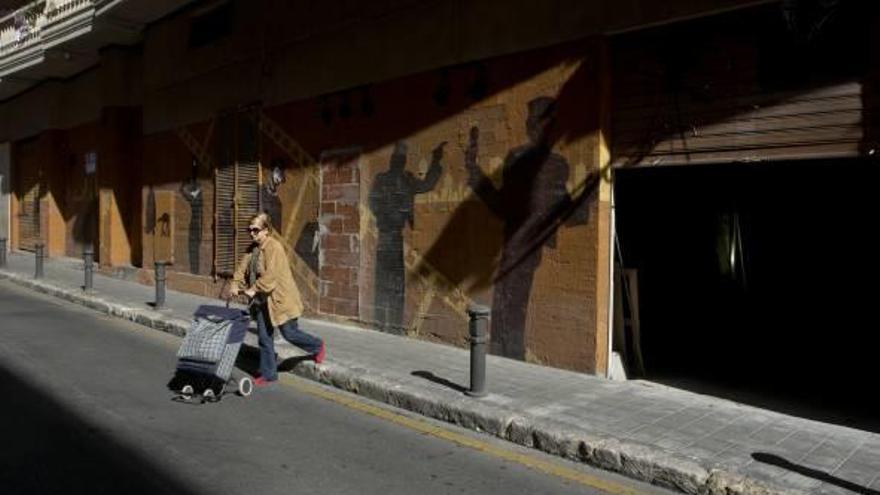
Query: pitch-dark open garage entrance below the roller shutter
point(758, 282)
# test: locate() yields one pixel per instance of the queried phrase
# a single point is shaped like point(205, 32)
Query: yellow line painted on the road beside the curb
point(422, 426)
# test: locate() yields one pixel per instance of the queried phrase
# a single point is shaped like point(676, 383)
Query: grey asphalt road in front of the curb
point(86, 409)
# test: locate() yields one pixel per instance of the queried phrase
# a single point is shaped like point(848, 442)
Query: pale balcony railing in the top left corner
point(24, 27)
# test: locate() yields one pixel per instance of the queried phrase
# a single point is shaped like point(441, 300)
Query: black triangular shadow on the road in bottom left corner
point(49, 449)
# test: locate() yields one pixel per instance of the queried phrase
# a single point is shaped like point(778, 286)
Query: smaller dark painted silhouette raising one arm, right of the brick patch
point(392, 201)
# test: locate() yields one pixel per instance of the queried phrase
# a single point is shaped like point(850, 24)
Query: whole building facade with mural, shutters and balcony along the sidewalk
point(417, 157)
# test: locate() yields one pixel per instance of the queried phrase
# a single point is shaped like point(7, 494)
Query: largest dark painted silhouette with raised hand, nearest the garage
point(531, 201)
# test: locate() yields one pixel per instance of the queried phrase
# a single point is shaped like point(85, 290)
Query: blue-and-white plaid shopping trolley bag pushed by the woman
point(207, 355)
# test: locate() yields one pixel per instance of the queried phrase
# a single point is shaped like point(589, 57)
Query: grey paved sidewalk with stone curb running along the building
point(689, 442)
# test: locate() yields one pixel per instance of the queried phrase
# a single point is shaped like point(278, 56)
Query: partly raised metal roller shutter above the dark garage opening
point(732, 89)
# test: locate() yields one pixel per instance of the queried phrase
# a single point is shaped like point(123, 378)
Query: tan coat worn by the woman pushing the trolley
point(274, 280)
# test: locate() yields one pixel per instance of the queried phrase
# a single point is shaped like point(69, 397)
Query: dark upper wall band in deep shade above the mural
point(288, 51)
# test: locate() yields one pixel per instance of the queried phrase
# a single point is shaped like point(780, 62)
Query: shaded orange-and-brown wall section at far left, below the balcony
point(88, 179)
